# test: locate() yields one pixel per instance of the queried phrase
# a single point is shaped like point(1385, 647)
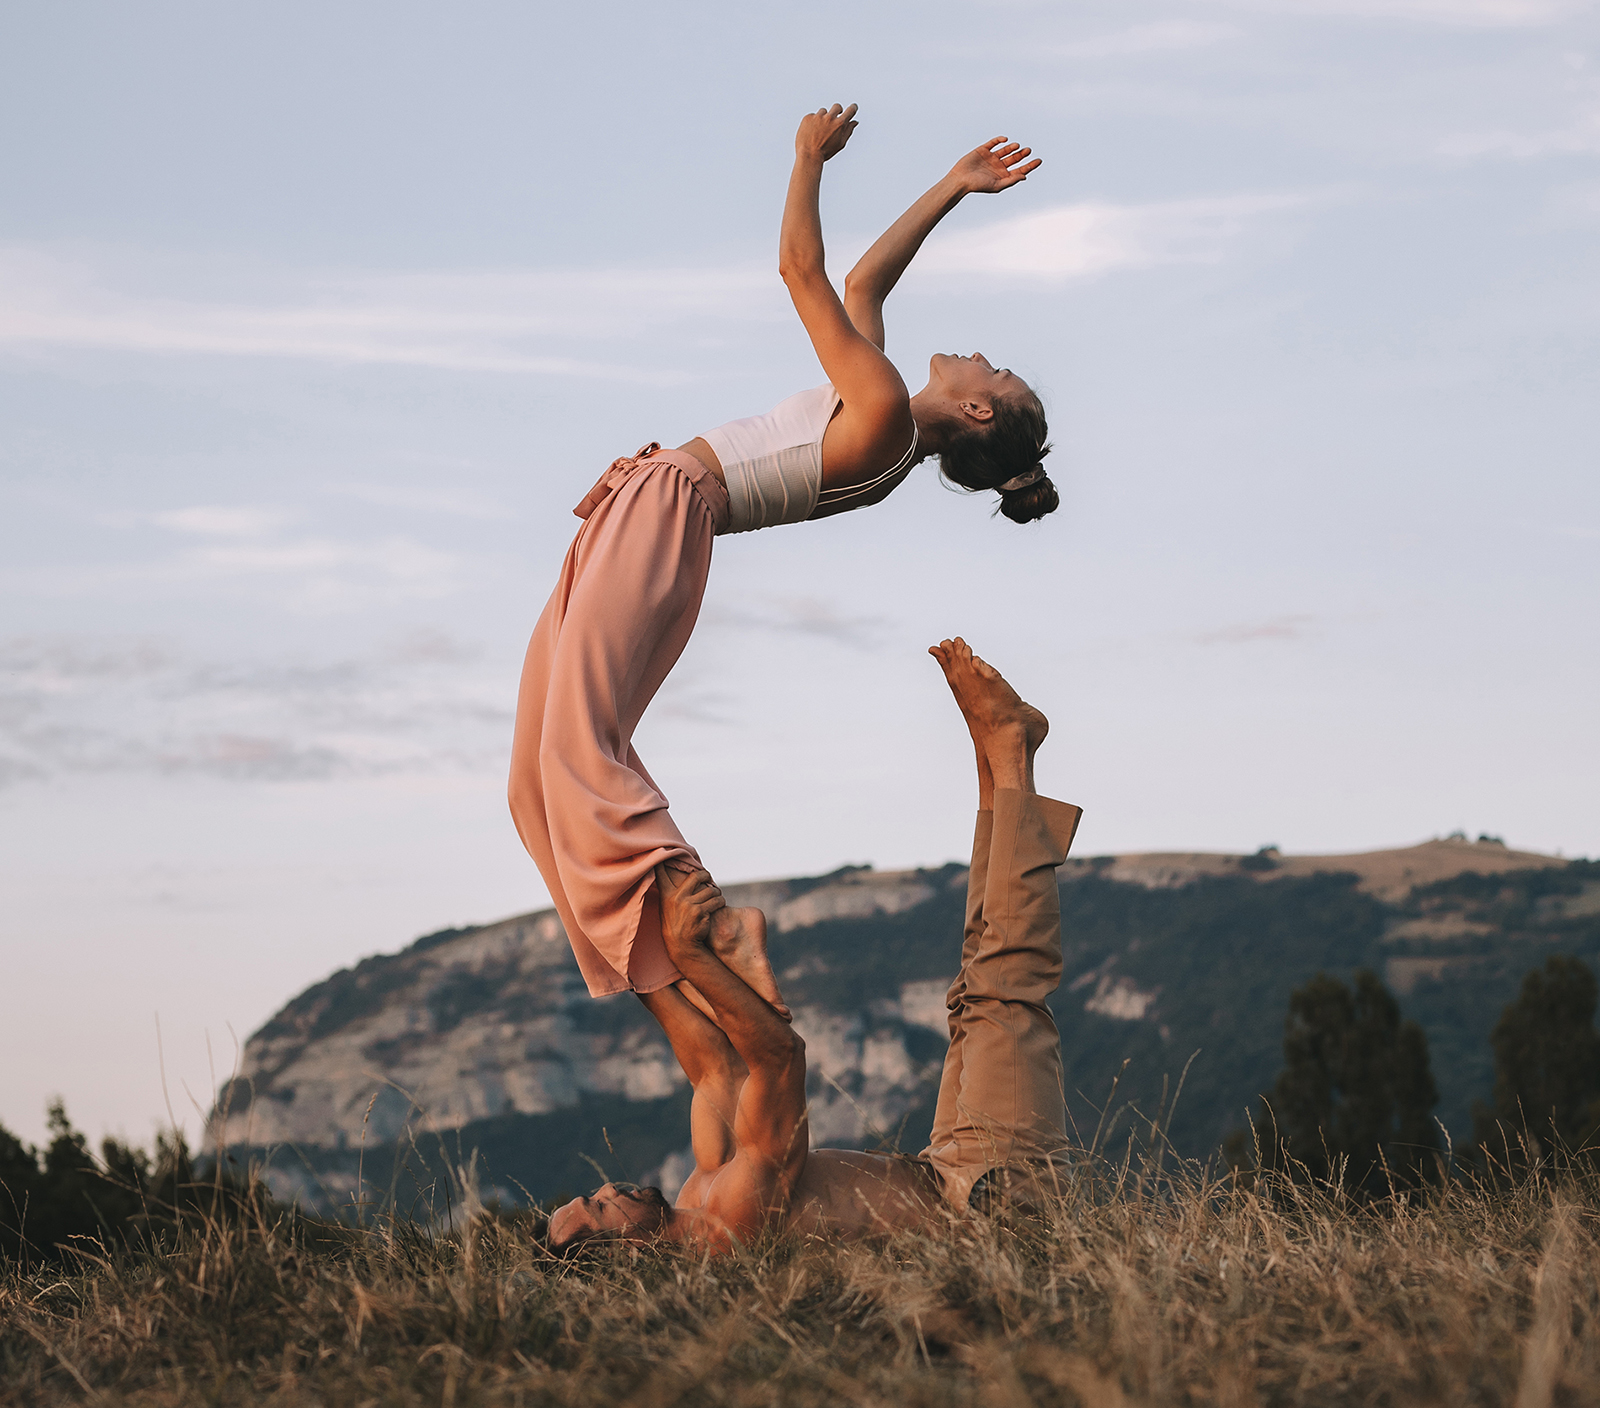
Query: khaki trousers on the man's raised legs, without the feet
point(1010, 1106)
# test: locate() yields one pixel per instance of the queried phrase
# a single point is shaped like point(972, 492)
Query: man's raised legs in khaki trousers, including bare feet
point(1006, 1106)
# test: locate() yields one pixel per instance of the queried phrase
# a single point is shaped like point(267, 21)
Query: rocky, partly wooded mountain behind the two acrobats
point(487, 1038)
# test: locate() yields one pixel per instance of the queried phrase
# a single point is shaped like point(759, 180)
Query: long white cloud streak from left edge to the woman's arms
point(511, 321)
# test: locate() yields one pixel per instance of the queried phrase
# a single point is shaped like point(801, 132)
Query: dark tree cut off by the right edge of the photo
point(1546, 1065)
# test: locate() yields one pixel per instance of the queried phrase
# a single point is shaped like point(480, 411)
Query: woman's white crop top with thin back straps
point(774, 463)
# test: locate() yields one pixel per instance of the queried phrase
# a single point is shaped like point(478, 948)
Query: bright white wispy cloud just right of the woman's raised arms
point(1098, 238)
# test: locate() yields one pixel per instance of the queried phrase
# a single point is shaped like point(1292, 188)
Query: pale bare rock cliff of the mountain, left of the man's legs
point(481, 1025)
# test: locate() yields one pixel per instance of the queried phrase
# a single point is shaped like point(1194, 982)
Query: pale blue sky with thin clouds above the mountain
point(316, 321)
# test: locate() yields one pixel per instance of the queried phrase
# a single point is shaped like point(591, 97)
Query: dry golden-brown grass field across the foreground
point(1183, 1292)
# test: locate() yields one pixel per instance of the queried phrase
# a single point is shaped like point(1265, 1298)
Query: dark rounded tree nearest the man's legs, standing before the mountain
point(1356, 1094)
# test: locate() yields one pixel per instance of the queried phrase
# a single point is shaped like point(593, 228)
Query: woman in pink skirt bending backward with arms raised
point(630, 593)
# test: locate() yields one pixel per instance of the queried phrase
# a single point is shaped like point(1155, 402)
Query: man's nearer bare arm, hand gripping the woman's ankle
point(770, 1130)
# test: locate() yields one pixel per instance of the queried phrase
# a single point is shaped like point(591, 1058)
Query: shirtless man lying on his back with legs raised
point(1001, 1119)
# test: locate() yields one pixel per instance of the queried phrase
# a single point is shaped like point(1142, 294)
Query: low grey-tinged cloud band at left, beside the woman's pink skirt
point(73, 706)
